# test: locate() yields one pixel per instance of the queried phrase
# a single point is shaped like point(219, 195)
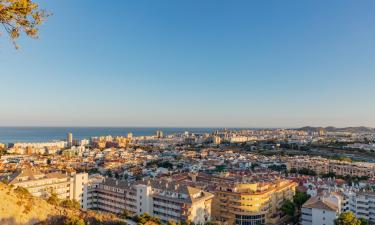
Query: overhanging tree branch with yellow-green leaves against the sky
point(21, 16)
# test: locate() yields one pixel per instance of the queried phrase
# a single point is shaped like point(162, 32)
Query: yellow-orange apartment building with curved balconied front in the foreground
point(251, 203)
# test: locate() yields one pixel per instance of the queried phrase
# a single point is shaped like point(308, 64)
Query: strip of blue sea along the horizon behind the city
point(42, 134)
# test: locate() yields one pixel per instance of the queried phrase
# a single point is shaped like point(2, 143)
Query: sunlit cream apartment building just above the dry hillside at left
point(66, 186)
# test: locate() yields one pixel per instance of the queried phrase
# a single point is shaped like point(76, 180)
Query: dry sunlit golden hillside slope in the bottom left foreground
point(19, 208)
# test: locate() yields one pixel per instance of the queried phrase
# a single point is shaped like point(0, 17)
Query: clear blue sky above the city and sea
point(194, 63)
